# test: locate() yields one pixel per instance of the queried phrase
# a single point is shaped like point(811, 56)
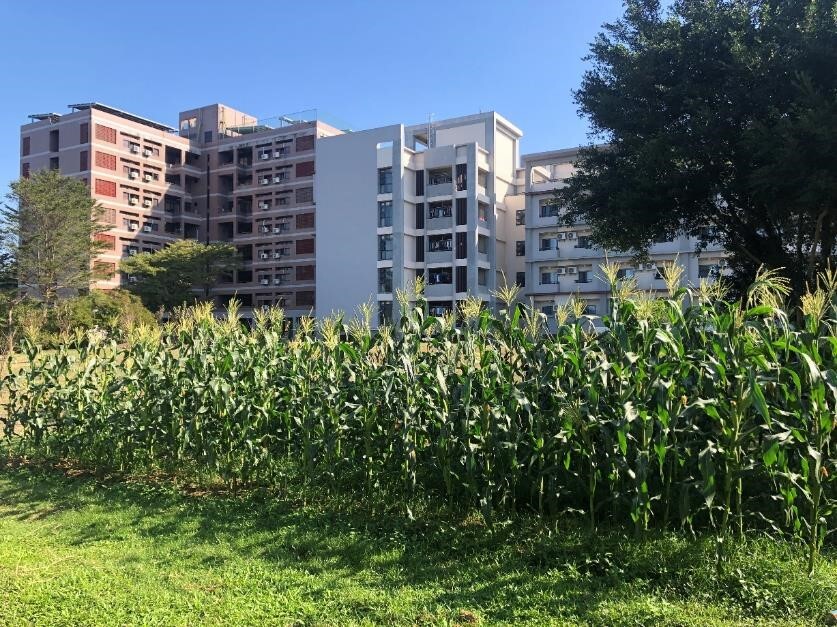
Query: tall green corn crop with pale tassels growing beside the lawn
point(691, 412)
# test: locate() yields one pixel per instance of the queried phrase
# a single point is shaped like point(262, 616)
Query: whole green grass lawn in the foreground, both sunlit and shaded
point(77, 551)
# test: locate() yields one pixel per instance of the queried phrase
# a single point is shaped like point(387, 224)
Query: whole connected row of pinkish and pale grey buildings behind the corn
point(326, 220)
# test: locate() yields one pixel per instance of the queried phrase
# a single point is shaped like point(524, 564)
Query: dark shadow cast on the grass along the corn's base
point(515, 570)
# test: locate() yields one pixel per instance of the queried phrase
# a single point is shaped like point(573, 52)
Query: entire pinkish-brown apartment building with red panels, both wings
point(222, 175)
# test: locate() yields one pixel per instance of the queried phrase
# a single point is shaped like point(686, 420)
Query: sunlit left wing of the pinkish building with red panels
point(142, 173)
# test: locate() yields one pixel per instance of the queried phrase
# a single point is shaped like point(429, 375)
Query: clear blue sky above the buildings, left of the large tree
point(367, 63)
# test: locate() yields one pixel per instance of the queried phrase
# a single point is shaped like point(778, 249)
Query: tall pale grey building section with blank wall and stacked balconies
point(428, 200)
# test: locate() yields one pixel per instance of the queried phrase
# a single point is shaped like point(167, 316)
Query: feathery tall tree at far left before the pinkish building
point(50, 224)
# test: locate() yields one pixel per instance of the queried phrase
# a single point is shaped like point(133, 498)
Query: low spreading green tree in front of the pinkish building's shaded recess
point(169, 277)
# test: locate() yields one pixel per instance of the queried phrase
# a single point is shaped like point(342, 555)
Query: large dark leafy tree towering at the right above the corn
point(719, 120)
